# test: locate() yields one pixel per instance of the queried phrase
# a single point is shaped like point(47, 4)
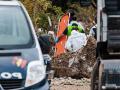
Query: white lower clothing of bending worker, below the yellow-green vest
point(76, 41)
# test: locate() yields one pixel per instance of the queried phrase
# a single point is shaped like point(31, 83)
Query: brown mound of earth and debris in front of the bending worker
point(78, 64)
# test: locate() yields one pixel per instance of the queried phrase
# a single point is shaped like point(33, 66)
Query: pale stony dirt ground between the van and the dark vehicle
point(70, 84)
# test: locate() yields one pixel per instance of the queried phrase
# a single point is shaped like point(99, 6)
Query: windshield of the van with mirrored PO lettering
point(14, 28)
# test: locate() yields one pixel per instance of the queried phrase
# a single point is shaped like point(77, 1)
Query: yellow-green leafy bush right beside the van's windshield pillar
point(39, 11)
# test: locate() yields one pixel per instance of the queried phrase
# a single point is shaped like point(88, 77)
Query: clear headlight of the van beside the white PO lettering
point(36, 72)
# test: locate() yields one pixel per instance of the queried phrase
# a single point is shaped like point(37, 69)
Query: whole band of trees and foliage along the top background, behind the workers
point(39, 10)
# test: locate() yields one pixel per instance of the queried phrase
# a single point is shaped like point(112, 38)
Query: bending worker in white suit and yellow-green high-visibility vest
point(76, 37)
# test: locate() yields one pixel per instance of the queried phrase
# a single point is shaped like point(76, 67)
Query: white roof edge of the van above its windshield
point(10, 2)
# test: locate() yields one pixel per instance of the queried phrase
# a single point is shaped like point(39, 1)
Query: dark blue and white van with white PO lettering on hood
point(22, 65)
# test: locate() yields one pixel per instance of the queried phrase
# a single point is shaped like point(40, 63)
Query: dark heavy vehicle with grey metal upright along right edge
point(106, 71)
